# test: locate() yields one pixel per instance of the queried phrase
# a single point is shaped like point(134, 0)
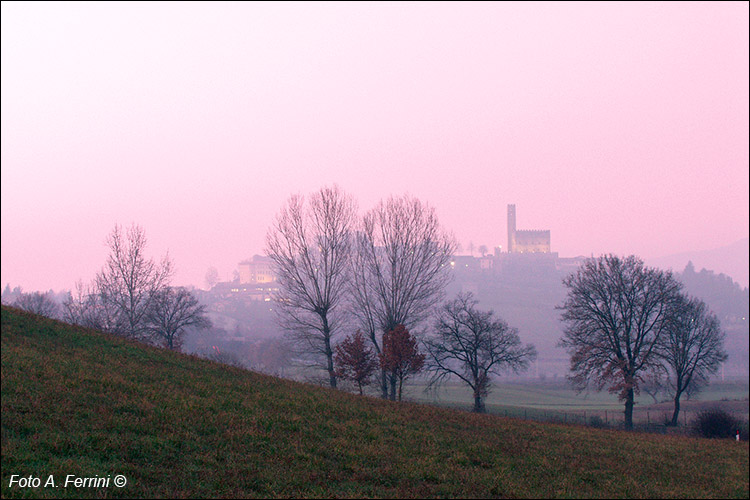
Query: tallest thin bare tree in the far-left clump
point(129, 281)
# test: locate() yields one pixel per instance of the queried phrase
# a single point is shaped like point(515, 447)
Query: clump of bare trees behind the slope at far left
point(131, 296)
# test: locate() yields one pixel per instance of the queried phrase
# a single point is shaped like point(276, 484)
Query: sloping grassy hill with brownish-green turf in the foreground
point(80, 404)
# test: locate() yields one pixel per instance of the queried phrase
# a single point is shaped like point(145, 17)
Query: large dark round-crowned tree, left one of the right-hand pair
point(616, 313)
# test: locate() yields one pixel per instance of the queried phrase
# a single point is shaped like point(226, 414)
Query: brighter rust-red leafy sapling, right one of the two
point(400, 358)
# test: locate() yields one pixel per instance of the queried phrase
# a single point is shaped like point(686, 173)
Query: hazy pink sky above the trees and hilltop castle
point(621, 127)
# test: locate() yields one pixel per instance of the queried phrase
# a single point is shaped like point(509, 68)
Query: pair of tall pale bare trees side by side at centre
point(383, 271)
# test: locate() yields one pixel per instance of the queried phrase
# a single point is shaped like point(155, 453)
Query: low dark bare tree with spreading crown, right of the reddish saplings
point(473, 345)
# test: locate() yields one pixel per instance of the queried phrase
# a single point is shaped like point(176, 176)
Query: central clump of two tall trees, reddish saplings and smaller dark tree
point(382, 275)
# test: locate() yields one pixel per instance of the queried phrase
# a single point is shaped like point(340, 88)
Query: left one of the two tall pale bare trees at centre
point(310, 246)
